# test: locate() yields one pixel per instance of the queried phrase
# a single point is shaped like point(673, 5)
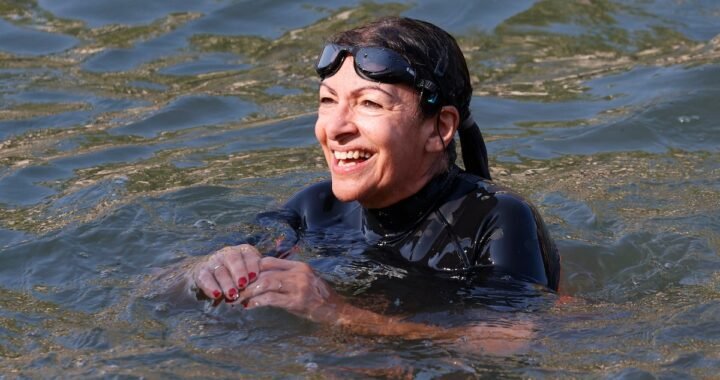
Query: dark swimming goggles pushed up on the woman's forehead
point(373, 63)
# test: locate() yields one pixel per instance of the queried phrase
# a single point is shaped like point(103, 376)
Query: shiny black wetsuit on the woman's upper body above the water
point(457, 223)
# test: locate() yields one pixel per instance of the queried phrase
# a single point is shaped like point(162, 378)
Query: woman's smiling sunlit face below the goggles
point(373, 137)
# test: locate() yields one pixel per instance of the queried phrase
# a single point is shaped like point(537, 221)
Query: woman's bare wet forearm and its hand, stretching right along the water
point(295, 287)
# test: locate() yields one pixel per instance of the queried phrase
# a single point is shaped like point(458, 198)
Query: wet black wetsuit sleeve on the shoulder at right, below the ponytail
point(515, 239)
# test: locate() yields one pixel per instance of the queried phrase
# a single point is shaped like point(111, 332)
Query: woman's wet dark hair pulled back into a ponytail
point(435, 56)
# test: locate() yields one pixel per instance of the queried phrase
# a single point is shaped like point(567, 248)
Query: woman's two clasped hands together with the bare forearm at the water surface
point(239, 274)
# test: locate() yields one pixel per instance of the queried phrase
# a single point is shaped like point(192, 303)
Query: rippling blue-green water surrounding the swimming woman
point(137, 134)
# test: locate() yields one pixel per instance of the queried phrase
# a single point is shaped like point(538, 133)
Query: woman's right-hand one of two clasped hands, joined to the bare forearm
point(293, 286)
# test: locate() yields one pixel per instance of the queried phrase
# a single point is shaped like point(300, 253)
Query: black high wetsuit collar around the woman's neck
point(385, 224)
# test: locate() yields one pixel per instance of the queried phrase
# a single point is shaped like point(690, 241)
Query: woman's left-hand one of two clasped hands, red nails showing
point(227, 271)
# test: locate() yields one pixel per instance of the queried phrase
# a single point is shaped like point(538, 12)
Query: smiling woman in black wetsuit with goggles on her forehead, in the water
point(392, 96)
